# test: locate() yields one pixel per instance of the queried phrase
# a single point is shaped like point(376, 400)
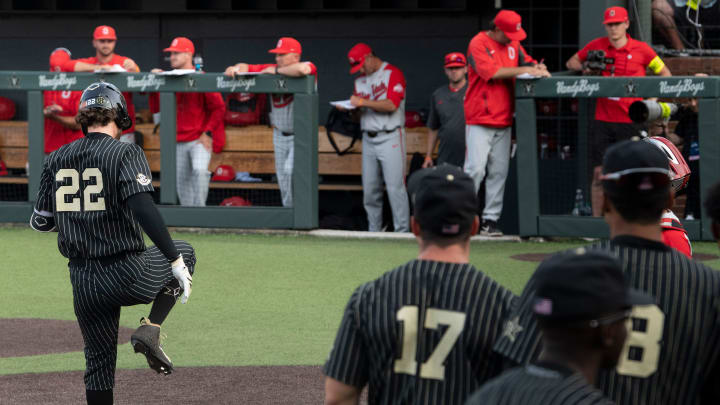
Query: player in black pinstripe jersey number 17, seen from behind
point(423, 333)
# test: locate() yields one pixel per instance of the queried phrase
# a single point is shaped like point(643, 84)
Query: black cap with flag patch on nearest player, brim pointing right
point(583, 284)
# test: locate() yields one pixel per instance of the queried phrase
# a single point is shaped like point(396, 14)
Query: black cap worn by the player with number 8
point(635, 166)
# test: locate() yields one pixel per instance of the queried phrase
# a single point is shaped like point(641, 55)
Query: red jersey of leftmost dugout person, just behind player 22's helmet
point(57, 135)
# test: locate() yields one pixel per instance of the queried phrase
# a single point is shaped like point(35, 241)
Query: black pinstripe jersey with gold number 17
point(422, 333)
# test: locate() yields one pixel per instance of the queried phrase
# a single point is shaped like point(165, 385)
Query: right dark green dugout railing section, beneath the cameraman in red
point(531, 220)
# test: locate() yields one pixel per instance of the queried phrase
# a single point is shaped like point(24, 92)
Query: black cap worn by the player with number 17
point(444, 199)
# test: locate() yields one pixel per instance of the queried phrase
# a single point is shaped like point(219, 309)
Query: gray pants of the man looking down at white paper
point(384, 161)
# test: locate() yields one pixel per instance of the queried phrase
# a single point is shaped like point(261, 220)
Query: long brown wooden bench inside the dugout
point(248, 149)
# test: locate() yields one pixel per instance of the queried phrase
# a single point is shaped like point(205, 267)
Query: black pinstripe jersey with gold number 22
point(83, 187)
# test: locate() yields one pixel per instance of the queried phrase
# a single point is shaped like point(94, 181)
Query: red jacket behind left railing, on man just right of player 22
point(197, 113)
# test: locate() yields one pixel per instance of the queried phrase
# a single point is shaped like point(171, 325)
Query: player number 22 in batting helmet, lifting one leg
point(95, 192)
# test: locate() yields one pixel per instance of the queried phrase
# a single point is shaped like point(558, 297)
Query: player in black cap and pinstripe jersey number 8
point(672, 347)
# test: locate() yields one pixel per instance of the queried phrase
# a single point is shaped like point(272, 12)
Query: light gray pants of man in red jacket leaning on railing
point(488, 153)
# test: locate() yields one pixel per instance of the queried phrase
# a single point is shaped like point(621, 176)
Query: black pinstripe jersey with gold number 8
point(672, 352)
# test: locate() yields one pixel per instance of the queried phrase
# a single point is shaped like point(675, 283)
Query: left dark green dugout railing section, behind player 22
point(303, 214)
